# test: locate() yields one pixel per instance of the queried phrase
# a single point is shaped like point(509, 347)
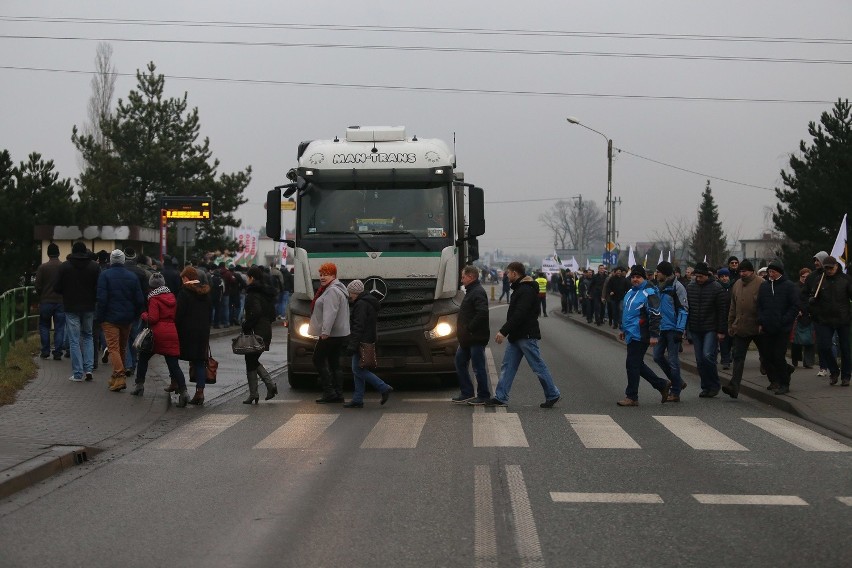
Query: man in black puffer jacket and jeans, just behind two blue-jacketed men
point(707, 325)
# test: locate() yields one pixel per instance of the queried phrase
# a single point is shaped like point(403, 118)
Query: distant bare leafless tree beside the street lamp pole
point(575, 223)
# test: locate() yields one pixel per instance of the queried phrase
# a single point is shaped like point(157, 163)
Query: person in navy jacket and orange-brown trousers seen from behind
point(120, 303)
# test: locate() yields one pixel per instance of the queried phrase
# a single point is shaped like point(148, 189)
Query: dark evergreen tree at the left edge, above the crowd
point(32, 194)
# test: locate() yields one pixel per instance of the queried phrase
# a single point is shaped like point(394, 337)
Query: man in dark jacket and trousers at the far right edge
point(829, 306)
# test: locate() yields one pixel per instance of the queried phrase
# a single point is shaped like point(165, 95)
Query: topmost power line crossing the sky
point(435, 30)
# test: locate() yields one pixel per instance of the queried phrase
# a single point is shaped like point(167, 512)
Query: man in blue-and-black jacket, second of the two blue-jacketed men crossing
point(674, 309)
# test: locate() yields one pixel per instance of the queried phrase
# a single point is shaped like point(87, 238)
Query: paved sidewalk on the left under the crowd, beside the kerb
point(55, 423)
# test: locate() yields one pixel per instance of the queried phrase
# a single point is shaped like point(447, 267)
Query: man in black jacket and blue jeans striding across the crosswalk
point(522, 331)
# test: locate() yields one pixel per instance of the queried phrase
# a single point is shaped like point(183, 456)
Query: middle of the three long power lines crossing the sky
point(419, 48)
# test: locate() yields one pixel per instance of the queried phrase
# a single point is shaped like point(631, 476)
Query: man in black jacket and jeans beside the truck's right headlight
point(473, 334)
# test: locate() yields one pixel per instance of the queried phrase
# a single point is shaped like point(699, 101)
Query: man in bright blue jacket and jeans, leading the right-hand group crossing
point(640, 327)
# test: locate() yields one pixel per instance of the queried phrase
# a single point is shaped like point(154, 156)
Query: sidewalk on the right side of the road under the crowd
point(810, 397)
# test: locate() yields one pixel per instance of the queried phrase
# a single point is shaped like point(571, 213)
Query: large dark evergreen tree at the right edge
point(819, 187)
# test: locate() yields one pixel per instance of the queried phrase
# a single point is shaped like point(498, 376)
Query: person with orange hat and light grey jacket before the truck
point(330, 324)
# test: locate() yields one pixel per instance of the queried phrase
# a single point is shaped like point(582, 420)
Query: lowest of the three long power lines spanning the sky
point(446, 90)
